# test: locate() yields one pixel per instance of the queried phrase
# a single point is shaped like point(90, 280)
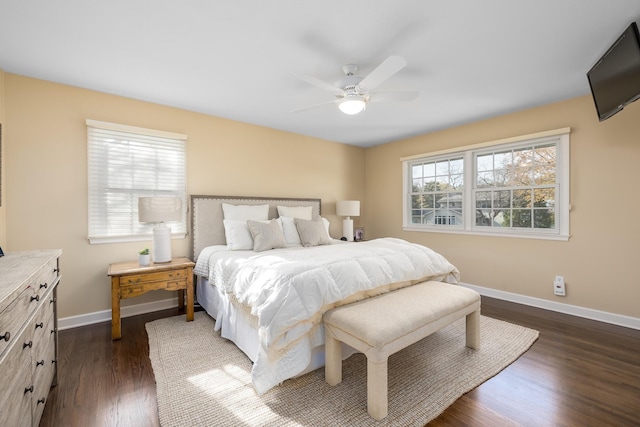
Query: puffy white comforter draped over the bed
point(288, 290)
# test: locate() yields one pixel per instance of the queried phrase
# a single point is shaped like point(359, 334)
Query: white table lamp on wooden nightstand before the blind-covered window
point(160, 210)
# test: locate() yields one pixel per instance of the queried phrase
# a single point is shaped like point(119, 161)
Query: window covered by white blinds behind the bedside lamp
point(125, 163)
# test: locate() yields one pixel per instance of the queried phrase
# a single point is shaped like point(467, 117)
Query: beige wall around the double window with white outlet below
point(599, 260)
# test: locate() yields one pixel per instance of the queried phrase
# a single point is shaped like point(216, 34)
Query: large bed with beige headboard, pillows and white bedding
point(269, 299)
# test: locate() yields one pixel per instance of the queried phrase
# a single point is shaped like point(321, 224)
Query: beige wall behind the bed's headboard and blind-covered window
point(46, 172)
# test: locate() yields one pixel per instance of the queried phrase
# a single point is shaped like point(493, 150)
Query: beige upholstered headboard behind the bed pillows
point(207, 228)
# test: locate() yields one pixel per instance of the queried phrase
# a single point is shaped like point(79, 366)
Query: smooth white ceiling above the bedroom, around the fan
point(469, 59)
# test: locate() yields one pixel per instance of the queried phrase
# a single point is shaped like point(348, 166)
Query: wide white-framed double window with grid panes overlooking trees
point(517, 187)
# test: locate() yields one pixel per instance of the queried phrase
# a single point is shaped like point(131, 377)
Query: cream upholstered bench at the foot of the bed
point(387, 323)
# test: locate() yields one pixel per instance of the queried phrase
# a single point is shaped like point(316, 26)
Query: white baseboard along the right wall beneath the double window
point(602, 316)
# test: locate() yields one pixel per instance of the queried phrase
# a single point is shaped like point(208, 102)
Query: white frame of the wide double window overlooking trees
point(561, 137)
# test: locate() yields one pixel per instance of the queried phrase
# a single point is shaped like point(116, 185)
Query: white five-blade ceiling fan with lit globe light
point(353, 92)
